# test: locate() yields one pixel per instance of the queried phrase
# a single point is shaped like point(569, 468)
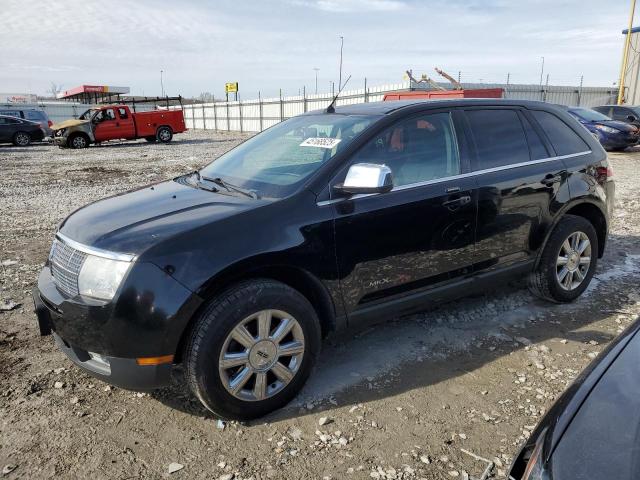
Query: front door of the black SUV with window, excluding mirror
point(417, 235)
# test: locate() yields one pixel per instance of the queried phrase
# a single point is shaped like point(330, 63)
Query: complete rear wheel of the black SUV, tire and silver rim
point(568, 261)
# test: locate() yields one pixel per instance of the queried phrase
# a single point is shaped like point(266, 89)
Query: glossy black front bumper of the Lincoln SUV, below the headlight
point(146, 319)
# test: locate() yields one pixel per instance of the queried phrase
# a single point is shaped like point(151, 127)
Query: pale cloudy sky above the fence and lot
point(266, 45)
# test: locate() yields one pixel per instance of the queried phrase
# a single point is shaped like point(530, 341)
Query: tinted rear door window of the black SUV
point(499, 138)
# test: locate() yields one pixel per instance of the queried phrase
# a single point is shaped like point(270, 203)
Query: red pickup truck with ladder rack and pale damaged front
point(116, 122)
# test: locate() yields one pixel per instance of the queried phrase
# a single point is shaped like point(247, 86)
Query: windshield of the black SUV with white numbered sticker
point(274, 162)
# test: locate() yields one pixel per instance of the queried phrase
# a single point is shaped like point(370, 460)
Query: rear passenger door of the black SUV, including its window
point(518, 177)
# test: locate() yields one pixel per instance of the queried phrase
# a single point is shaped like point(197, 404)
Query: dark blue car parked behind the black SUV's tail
point(612, 134)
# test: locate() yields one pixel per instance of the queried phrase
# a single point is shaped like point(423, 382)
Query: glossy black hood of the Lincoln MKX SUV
point(135, 221)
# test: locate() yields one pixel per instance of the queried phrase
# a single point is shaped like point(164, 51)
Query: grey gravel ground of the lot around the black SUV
point(403, 400)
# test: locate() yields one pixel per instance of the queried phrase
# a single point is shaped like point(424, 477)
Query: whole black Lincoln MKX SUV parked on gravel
point(326, 220)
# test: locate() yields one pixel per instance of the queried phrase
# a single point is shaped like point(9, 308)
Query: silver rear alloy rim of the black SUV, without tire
point(573, 261)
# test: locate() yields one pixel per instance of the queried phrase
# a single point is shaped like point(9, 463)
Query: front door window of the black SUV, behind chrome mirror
point(416, 149)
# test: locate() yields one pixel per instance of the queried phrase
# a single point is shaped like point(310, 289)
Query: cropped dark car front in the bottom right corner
point(593, 429)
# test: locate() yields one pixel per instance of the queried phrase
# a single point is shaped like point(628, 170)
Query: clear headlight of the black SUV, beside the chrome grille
point(100, 277)
